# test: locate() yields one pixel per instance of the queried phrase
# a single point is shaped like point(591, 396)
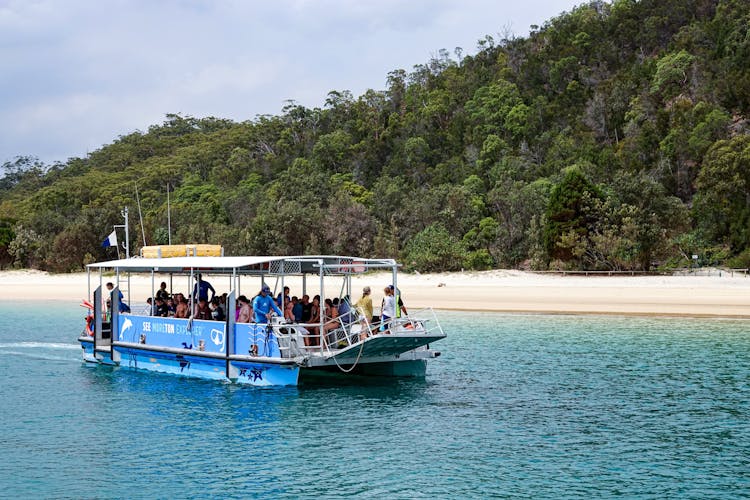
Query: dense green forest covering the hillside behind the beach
point(613, 137)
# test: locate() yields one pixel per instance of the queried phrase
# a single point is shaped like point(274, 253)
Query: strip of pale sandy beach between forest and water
point(718, 294)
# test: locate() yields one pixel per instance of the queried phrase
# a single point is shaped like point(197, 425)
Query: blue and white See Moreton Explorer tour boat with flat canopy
point(275, 352)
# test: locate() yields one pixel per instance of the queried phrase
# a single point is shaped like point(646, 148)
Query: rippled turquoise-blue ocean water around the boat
point(517, 406)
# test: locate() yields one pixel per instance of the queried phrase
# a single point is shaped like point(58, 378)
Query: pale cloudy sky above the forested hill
point(76, 74)
